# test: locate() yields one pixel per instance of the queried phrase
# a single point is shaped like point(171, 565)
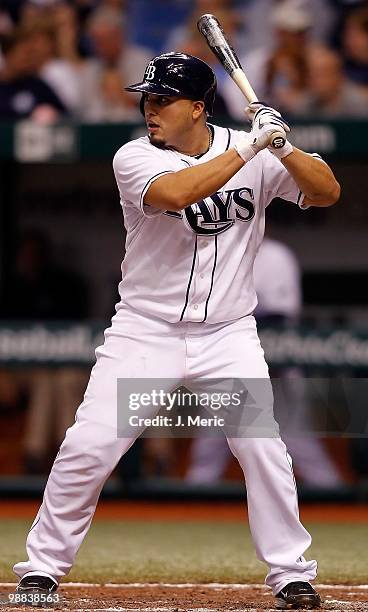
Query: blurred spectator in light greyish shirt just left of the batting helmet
point(113, 56)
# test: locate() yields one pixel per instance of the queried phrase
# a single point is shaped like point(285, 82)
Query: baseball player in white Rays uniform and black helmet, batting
point(194, 197)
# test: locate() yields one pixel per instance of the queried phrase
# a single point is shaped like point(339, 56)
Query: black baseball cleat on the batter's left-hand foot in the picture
point(36, 591)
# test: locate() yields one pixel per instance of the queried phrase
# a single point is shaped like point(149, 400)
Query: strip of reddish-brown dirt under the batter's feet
point(199, 598)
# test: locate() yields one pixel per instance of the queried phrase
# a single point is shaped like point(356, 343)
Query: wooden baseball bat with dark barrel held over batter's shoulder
point(216, 39)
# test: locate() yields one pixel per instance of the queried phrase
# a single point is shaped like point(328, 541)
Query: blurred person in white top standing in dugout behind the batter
point(277, 279)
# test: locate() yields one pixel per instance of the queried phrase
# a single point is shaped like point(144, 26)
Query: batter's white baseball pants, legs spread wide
point(137, 346)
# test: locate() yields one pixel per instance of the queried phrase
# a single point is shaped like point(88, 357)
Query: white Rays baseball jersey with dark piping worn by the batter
point(195, 265)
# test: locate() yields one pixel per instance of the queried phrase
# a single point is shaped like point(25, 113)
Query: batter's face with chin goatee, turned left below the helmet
point(169, 119)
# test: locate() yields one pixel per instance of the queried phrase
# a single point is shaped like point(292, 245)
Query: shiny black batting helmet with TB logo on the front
point(178, 74)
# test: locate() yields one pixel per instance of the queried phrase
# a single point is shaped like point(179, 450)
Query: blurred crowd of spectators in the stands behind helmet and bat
point(72, 58)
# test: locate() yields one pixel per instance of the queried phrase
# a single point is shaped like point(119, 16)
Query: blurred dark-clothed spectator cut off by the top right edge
point(355, 47)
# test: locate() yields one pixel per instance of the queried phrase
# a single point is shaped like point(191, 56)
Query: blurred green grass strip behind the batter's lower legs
point(177, 552)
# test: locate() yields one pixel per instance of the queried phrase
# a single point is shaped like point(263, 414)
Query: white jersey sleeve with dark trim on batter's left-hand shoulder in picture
point(136, 166)
